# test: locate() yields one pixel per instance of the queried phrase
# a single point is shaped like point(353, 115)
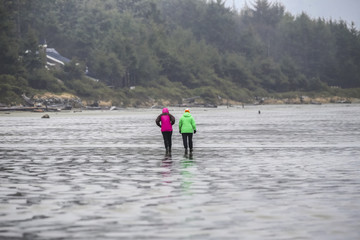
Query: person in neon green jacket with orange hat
point(187, 127)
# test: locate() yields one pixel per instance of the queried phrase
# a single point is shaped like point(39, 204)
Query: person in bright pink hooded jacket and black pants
point(165, 121)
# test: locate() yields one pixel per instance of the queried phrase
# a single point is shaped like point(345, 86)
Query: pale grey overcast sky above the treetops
point(347, 10)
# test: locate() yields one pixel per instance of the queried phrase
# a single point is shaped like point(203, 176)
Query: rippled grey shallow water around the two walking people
point(291, 172)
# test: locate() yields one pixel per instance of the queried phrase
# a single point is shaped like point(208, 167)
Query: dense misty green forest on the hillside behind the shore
point(173, 49)
